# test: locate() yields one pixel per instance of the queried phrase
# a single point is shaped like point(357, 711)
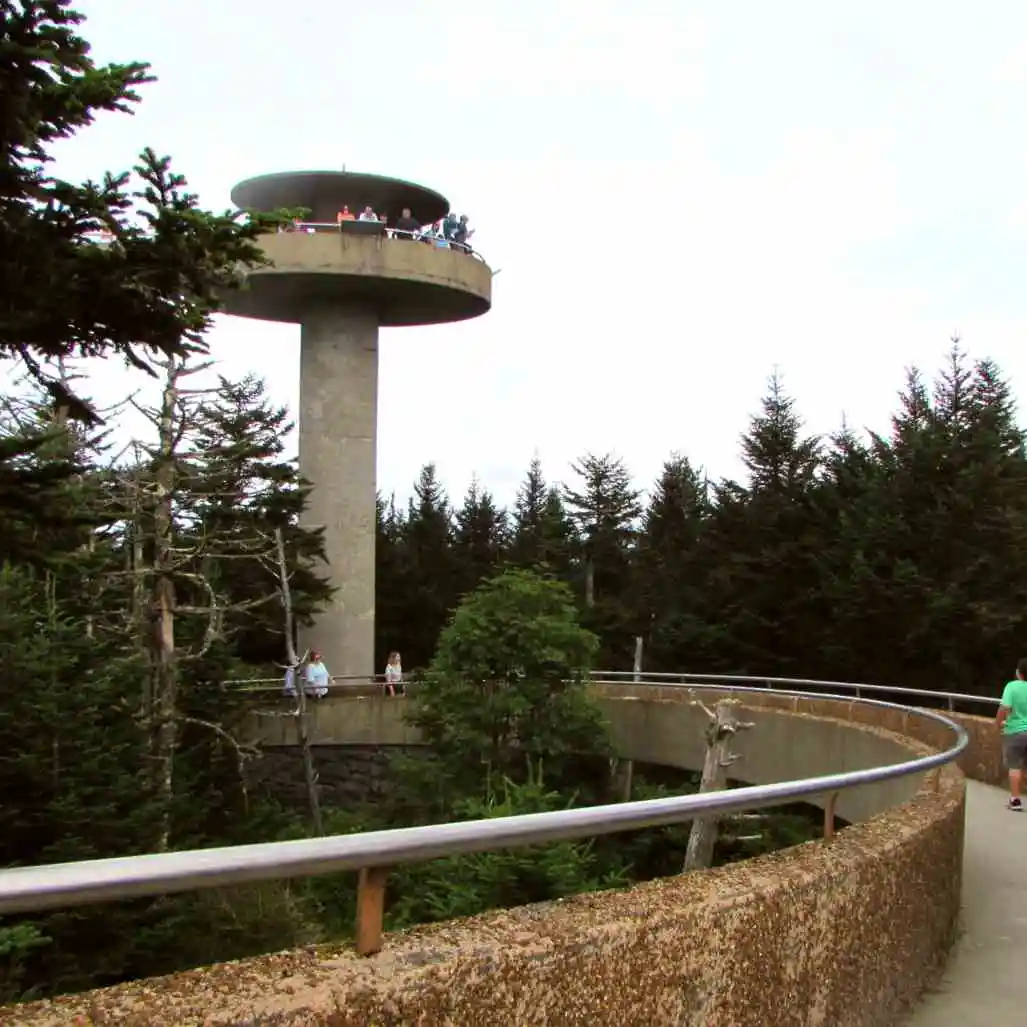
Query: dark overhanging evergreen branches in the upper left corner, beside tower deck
point(151, 285)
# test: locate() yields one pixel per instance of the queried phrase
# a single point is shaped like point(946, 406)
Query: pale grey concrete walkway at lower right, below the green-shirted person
point(984, 982)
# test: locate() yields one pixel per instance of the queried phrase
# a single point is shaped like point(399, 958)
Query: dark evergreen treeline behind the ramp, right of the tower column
point(892, 557)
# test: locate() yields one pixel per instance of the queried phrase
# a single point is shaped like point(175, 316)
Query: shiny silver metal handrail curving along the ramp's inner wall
point(30, 890)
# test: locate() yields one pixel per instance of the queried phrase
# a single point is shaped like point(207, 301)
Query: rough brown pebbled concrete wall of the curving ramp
point(832, 934)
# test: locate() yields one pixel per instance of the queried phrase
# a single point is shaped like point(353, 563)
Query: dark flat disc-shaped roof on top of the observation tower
point(325, 194)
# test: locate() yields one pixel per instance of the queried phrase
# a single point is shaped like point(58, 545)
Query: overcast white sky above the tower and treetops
point(681, 196)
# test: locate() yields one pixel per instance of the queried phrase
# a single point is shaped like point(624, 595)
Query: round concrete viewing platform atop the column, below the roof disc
point(406, 282)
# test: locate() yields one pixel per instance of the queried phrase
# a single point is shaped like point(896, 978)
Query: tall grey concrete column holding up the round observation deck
point(338, 453)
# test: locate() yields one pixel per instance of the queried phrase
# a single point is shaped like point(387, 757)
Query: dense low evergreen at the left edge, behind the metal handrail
point(70, 774)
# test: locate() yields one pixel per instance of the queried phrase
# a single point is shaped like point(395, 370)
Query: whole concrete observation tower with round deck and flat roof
point(343, 282)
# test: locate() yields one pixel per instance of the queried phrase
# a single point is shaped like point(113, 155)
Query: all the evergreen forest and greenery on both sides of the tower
point(147, 552)
